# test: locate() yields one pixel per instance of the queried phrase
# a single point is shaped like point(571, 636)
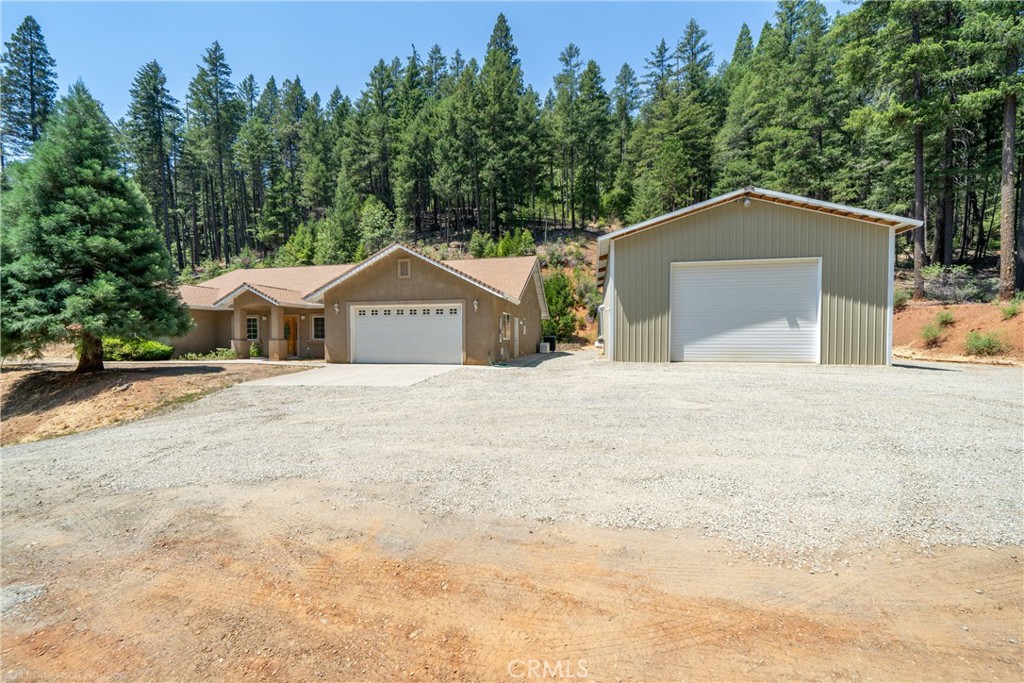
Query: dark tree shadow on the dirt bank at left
point(45, 390)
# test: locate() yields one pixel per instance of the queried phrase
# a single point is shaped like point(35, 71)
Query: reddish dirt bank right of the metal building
point(967, 318)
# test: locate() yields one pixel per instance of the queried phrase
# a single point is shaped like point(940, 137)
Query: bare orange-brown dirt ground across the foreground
point(287, 581)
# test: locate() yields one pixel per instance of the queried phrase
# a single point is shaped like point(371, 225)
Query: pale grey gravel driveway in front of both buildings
point(793, 459)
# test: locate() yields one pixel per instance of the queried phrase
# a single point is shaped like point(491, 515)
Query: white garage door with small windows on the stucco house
point(430, 333)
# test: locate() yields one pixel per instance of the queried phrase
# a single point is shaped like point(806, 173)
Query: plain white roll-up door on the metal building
point(765, 311)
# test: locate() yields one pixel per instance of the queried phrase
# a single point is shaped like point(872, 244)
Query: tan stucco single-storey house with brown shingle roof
point(397, 307)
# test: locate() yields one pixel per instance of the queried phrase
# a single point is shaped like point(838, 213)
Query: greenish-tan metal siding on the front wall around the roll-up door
point(855, 278)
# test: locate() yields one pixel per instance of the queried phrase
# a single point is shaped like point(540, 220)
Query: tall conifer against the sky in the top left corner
point(28, 90)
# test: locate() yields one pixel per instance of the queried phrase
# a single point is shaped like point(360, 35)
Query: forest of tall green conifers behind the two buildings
point(902, 107)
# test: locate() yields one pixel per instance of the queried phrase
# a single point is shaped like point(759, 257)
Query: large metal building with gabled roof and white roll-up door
point(752, 276)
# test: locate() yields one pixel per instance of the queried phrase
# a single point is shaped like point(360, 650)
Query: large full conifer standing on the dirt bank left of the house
point(83, 259)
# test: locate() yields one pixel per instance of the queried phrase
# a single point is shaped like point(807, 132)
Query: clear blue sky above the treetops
point(336, 44)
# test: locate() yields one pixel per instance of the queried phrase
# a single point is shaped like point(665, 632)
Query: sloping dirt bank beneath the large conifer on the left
point(45, 400)
